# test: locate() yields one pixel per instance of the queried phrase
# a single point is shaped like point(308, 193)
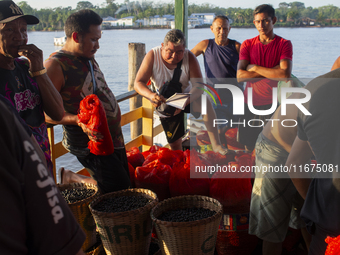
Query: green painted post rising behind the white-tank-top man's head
point(181, 17)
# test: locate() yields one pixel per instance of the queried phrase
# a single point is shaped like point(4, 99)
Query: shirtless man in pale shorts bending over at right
point(275, 202)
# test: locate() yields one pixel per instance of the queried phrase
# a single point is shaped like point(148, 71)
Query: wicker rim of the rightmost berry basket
point(217, 215)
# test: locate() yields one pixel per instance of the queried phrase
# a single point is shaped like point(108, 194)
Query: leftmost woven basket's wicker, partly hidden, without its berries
point(82, 212)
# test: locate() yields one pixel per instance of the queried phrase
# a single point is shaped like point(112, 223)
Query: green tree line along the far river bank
point(288, 14)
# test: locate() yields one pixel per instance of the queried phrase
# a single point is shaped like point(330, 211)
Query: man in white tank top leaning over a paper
point(159, 65)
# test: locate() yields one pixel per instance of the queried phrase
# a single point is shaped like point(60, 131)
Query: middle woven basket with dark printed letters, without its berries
point(126, 233)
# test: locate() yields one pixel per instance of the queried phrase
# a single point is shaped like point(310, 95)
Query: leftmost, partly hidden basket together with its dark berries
point(78, 196)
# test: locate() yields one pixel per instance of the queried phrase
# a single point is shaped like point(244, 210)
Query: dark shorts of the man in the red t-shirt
point(247, 134)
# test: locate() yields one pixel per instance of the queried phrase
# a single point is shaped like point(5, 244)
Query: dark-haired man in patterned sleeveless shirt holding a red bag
point(70, 71)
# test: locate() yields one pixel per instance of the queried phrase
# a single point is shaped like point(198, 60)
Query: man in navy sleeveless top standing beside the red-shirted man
point(220, 61)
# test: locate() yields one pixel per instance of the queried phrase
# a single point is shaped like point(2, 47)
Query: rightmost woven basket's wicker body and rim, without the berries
point(186, 238)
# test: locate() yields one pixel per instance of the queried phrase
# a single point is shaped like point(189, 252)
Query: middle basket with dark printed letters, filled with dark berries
point(123, 220)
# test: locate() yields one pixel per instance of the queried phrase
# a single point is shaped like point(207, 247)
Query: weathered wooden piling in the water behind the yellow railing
point(136, 55)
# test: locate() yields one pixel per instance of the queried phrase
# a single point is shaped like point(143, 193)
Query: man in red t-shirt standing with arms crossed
point(268, 57)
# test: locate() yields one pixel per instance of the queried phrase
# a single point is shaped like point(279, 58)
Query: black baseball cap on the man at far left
point(9, 11)
